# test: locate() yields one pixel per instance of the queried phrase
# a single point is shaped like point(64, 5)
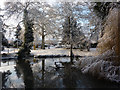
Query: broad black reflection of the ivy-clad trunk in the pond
point(26, 70)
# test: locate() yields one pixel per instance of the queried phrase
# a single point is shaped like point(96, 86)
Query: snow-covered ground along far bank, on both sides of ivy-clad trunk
point(55, 51)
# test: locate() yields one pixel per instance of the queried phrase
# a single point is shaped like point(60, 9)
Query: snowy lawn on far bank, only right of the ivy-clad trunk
point(62, 51)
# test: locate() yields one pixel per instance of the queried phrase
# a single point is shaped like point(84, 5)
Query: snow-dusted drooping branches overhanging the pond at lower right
point(100, 66)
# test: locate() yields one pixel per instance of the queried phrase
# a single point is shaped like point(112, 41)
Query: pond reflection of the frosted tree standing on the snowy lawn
point(45, 77)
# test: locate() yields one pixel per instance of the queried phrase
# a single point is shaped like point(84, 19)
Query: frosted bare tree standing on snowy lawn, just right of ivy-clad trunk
point(44, 21)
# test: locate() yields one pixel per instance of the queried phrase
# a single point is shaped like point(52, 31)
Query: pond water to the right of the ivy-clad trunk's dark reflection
point(67, 77)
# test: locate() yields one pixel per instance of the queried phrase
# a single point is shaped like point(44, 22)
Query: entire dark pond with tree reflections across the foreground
point(48, 73)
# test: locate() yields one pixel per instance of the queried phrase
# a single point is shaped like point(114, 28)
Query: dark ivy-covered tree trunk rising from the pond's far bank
point(28, 36)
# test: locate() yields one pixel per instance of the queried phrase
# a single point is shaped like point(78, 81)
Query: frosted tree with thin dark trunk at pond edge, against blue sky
point(71, 15)
